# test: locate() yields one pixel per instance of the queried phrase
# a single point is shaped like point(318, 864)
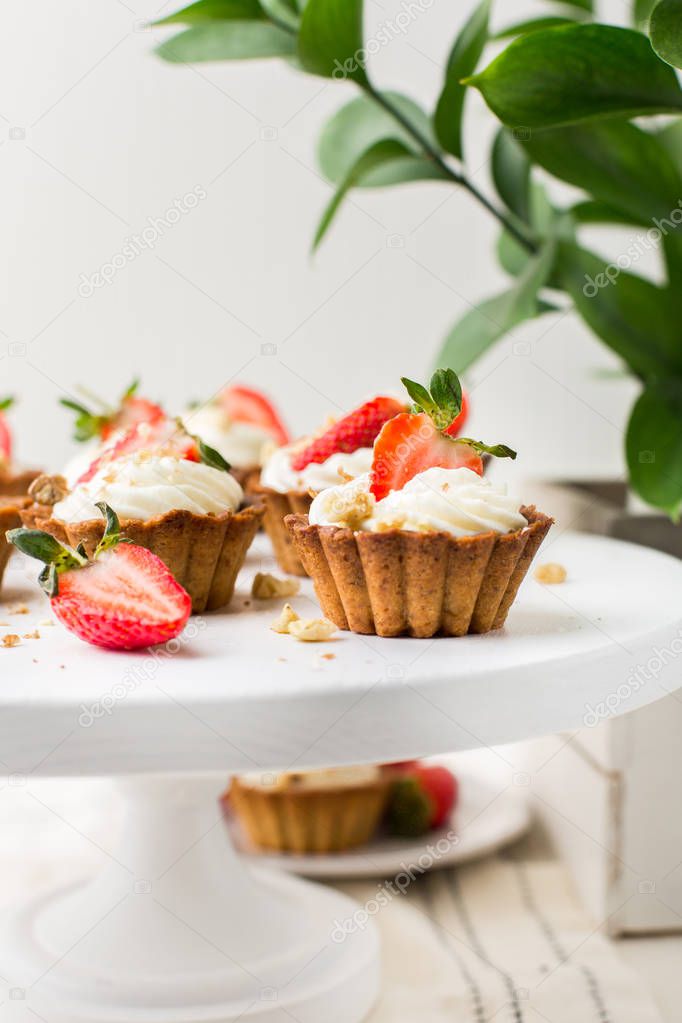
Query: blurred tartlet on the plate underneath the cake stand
point(316, 812)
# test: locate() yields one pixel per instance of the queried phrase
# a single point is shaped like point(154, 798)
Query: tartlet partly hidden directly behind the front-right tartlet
point(293, 474)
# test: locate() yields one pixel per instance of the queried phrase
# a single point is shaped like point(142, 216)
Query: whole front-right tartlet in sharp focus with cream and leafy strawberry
point(422, 546)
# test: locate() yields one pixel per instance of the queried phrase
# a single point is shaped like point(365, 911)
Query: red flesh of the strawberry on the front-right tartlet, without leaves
point(411, 443)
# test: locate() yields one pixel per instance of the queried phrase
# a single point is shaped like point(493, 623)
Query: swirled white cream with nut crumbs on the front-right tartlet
point(449, 501)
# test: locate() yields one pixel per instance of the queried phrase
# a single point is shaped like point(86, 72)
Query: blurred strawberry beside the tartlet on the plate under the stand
point(423, 797)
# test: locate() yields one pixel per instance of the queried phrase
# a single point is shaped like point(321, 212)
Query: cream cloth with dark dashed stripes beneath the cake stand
point(505, 941)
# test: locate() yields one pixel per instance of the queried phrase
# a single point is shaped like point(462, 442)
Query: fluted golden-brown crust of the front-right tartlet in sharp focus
point(400, 583)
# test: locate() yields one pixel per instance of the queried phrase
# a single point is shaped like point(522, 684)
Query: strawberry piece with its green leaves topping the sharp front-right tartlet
point(423, 438)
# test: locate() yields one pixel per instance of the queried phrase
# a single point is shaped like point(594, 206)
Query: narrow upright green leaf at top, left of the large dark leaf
point(463, 62)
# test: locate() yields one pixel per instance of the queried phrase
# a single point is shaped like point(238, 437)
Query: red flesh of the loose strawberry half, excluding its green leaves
point(126, 600)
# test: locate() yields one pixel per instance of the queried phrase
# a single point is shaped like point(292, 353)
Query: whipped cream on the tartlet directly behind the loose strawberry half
point(145, 485)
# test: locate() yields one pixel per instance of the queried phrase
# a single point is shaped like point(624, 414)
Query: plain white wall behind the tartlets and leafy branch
point(97, 136)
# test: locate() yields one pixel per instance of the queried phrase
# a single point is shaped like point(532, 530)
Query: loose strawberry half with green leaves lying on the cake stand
point(124, 599)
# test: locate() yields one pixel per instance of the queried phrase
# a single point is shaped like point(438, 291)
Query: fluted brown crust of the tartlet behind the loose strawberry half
point(205, 553)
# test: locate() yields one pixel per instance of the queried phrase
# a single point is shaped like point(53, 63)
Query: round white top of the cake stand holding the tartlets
point(234, 695)
